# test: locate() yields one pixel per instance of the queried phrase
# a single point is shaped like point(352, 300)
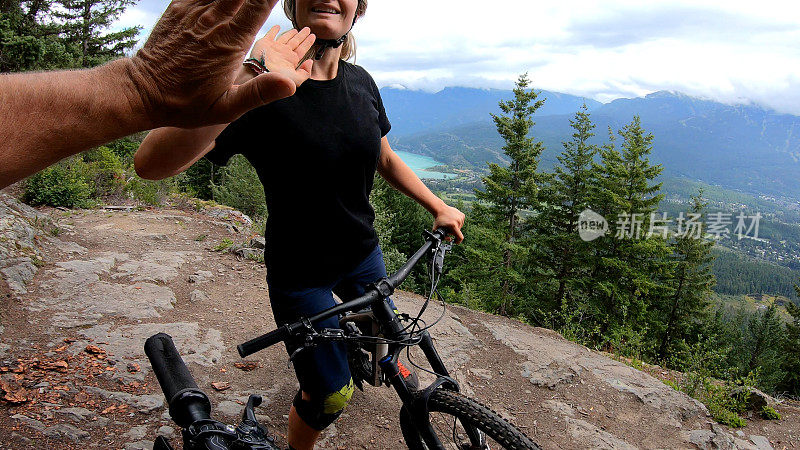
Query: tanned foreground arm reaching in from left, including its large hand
point(183, 77)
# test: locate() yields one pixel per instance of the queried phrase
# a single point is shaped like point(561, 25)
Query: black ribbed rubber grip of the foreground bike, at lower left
point(170, 370)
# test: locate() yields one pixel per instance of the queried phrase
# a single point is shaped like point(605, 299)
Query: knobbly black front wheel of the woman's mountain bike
point(450, 412)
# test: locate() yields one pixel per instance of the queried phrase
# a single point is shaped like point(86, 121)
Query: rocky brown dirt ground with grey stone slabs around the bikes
point(84, 289)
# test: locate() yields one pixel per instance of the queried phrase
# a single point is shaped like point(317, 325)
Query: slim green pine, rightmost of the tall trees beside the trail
point(691, 287)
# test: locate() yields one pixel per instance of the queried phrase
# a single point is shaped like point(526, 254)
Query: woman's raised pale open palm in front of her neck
point(283, 54)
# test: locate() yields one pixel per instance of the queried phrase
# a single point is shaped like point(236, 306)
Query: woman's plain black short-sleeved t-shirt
point(316, 153)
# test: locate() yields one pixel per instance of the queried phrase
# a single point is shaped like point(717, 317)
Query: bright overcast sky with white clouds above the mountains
point(732, 51)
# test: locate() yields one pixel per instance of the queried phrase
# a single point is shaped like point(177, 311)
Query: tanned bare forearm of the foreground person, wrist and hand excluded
point(46, 117)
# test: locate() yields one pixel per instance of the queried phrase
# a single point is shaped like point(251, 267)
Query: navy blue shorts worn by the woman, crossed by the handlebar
point(323, 369)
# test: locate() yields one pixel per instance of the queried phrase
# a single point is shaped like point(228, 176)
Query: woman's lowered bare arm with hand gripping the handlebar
point(399, 175)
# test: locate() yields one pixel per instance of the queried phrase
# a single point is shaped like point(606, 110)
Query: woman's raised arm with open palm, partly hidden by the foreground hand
point(169, 151)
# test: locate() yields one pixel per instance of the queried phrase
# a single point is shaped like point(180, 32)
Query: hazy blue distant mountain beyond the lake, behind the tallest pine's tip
point(413, 112)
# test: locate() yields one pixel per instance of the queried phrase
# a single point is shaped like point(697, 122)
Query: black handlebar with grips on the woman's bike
point(284, 332)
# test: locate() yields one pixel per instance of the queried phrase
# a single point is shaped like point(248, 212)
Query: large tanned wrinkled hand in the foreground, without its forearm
point(184, 75)
